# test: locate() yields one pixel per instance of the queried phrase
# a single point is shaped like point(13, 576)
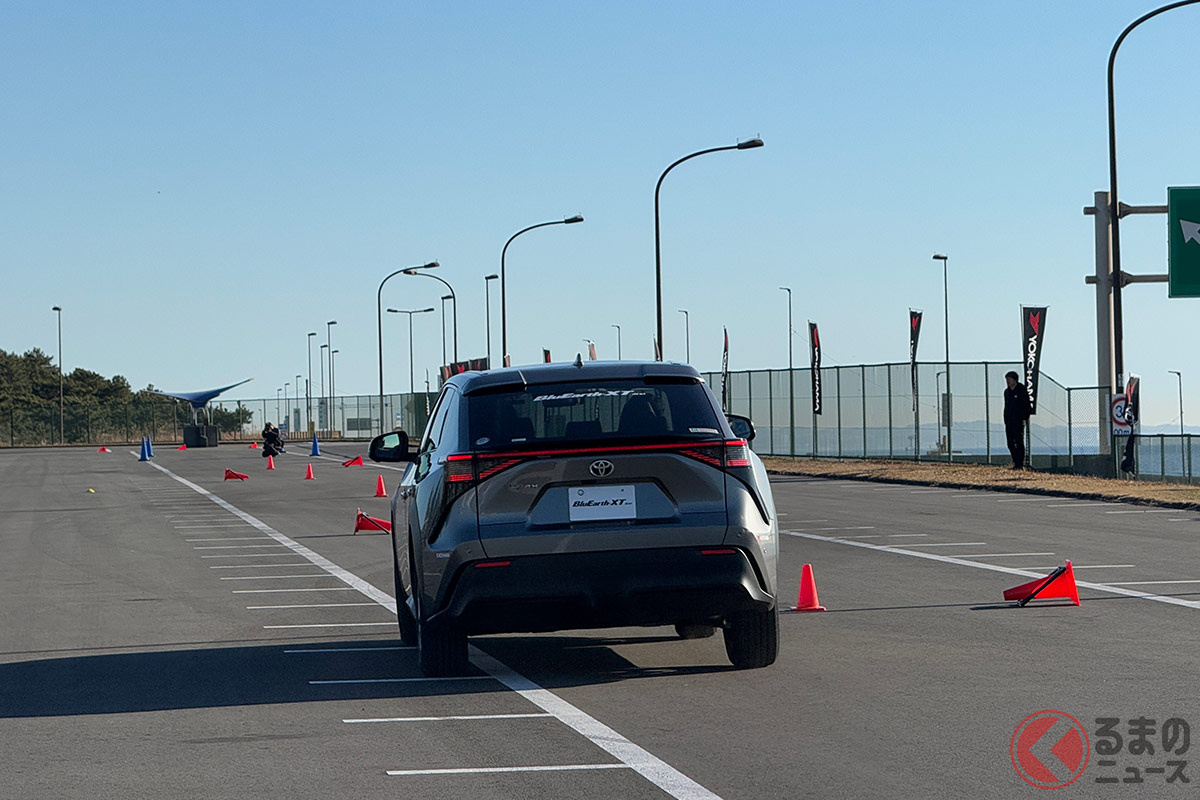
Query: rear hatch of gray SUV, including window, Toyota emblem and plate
point(593, 466)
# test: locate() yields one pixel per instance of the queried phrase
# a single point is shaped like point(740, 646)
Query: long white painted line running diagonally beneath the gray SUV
point(645, 763)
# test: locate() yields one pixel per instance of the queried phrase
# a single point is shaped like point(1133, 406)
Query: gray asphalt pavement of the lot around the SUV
point(176, 635)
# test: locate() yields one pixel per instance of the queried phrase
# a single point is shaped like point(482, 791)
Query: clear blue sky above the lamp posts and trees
point(201, 184)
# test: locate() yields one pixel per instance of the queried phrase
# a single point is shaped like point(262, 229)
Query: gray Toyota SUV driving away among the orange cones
point(596, 495)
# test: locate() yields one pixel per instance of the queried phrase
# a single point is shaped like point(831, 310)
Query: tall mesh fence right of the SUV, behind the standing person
point(871, 411)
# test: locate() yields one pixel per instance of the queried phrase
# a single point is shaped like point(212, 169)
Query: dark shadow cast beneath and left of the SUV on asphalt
point(214, 677)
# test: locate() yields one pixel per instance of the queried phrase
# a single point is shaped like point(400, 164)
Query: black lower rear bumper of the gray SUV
point(603, 590)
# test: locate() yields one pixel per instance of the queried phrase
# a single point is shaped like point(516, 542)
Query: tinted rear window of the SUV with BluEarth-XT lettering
point(590, 412)
